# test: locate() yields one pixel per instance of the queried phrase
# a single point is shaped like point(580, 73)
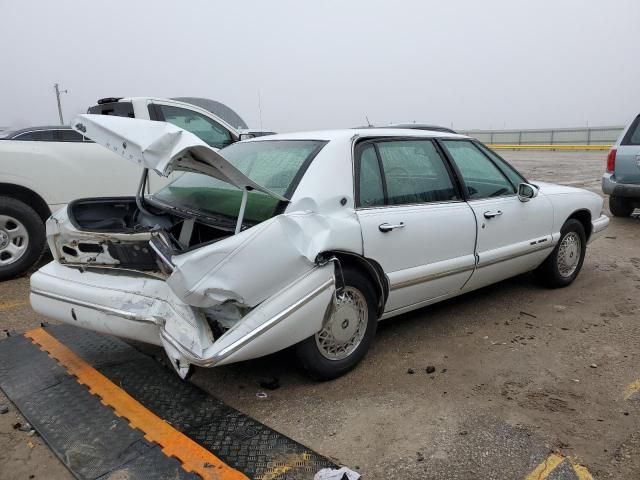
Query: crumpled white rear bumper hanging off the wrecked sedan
point(143, 308)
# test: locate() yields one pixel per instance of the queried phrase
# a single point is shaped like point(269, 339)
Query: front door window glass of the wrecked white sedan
point(481, 177)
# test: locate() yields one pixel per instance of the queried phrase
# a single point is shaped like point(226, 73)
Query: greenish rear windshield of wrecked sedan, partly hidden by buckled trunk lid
point(277, 165)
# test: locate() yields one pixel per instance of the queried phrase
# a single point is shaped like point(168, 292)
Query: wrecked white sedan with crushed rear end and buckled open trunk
point(304, 239)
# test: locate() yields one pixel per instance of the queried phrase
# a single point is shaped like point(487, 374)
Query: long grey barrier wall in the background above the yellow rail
point(600, 136)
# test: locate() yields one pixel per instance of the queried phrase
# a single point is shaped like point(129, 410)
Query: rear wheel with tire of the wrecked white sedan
point(339, 347)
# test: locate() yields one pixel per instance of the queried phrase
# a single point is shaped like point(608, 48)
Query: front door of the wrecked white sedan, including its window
point(514, 236)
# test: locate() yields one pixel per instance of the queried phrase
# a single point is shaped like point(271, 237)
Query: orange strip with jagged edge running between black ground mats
point(192, 456)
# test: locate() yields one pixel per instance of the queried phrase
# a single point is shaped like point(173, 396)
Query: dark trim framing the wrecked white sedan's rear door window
point(357, 152)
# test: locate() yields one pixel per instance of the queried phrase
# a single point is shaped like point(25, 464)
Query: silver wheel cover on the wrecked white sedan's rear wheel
point(344, 331)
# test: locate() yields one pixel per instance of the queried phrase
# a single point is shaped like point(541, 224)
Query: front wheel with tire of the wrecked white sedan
point(562, 267)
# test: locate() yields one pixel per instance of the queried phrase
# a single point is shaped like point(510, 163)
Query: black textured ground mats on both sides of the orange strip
point(69, 417)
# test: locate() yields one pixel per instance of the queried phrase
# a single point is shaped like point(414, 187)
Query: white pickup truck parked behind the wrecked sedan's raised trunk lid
point(44, 168)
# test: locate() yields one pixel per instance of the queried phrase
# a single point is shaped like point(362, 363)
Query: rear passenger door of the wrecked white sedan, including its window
point(414, 220)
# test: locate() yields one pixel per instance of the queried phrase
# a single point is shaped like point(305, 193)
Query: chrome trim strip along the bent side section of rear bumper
point(241, 342)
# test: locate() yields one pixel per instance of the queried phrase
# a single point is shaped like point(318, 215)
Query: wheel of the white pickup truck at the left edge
point(22, 237)
